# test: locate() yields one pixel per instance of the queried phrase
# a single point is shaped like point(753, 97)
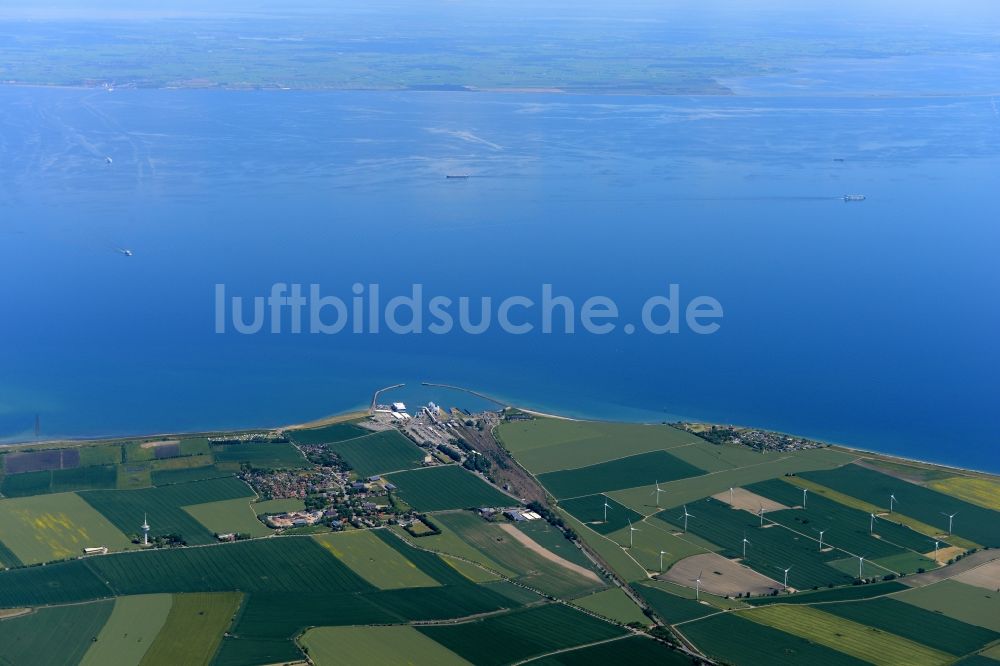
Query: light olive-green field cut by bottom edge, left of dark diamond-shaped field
point(343, 646)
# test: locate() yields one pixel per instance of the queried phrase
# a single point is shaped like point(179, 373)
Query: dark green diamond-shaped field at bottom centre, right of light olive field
point(518, 635)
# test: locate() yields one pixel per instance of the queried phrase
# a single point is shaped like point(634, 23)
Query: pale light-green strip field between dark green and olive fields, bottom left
point(130, 630)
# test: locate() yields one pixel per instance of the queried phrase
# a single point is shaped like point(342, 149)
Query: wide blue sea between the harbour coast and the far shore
point(872, 324)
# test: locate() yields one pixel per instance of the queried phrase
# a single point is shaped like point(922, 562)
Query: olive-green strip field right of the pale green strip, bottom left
point(193, 629)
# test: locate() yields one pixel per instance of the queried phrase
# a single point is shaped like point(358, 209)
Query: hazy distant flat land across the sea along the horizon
point(644, 48)
